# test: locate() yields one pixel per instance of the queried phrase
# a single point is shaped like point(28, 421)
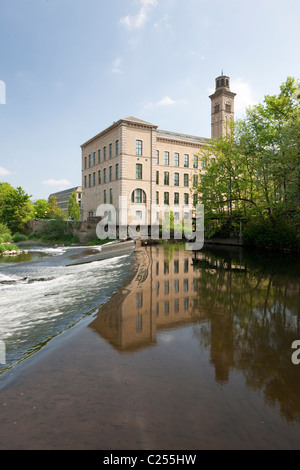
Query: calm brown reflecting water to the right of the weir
point(195, 353)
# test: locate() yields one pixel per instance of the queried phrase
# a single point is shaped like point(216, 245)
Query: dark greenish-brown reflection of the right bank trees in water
point(252, 305)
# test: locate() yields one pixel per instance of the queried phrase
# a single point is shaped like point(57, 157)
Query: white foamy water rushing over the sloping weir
point(39, 299)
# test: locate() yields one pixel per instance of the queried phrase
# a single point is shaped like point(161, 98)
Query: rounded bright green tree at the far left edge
point(16, 207)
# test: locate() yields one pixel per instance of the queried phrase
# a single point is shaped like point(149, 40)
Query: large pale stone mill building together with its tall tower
point(134, 161)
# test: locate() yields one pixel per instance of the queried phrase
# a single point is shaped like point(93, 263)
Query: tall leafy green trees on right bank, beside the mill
point(250, 179)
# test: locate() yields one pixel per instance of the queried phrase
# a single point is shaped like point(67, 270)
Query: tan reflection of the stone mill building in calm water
point(162, 295)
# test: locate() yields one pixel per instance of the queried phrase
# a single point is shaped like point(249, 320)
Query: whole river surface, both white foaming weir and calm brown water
point(196, 353)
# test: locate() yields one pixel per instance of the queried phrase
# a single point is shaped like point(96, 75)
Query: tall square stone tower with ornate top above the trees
point(222, 107)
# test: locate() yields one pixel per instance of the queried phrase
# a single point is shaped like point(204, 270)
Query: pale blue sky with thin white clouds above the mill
point(73, 67)
